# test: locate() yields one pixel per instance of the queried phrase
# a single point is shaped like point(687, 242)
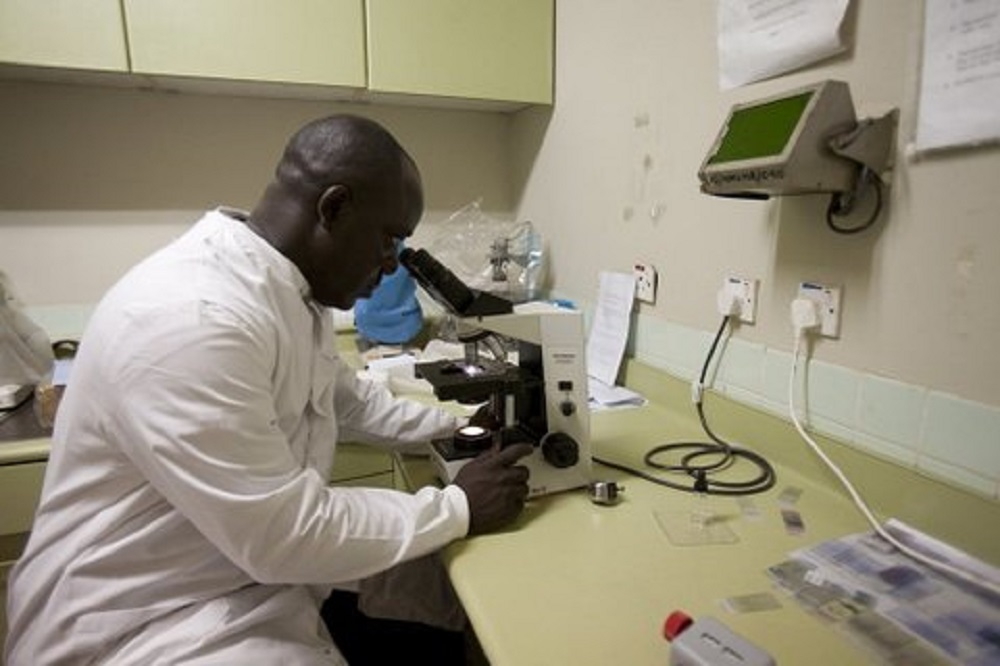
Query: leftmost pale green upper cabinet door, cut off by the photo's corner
point(63, 33)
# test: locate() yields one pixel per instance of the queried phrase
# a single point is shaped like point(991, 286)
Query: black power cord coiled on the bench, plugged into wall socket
point(721, 453)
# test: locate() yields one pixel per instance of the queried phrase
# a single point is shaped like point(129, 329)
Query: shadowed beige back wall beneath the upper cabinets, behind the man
point(94, 178)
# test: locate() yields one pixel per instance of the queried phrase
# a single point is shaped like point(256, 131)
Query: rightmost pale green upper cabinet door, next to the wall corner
point(481, 49)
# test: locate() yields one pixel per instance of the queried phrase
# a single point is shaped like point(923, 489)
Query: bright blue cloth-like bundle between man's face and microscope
point(392, 314)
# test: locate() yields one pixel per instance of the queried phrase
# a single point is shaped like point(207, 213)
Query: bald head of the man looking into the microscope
point(344, 191)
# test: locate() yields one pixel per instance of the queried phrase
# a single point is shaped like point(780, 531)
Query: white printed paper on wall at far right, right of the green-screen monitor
point(960, 81)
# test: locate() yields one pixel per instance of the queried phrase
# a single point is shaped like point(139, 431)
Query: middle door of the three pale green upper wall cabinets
point(290, 41)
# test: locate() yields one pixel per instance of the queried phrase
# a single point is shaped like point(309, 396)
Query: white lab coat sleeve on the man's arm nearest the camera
point(193, 410)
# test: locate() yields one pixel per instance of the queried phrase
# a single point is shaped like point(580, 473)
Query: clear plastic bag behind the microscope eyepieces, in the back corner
point(504, 258)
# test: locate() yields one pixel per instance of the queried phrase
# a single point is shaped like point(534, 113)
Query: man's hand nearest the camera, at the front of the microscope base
point(495, 487)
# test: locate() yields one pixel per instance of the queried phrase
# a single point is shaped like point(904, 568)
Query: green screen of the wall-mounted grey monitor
point(762, 130)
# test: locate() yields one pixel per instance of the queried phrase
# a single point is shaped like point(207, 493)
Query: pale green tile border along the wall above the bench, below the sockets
point(945, 437)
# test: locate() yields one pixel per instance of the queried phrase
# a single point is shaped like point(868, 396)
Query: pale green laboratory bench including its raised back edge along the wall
point(574, 582)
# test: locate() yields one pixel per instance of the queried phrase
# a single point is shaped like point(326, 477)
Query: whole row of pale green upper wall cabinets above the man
point(491, 54)
